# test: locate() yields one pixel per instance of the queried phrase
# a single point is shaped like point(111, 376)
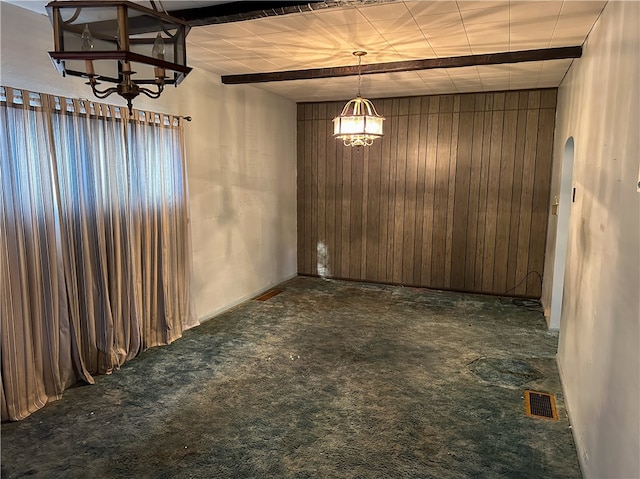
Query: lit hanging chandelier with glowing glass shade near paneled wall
point(359, 123)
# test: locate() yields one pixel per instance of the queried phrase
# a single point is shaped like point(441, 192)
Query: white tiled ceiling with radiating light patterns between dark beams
point(394, 31)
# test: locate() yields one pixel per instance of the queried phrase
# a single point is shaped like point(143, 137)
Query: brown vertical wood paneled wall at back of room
point(454, 196)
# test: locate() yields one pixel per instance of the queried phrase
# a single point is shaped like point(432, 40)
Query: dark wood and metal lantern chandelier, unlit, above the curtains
point(138, 49)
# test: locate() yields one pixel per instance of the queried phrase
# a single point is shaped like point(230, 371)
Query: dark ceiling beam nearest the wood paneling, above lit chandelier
point(560, 53)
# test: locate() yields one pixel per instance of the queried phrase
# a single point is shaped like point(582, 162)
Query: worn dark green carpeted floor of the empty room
point(328, 379)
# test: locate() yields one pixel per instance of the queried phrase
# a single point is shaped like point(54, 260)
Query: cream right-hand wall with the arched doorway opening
point(598, 104)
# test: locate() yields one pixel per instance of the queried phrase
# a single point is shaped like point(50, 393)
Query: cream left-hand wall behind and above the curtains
point(241, 157)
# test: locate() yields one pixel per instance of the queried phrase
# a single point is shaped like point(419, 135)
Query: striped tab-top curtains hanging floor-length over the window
point(94, 242)
